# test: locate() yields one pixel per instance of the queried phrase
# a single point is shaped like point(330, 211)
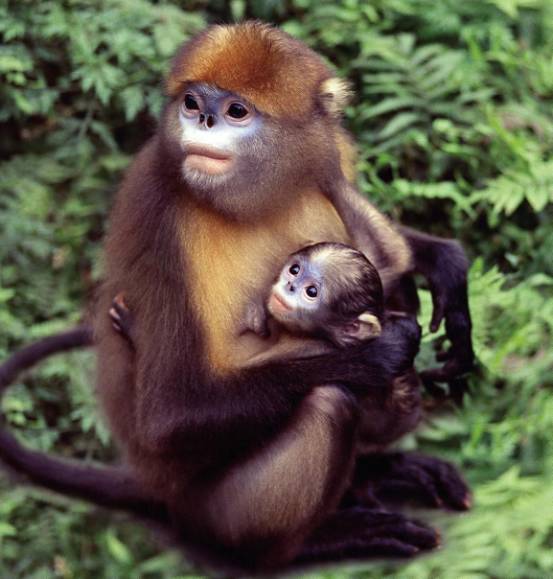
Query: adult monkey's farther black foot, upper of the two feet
point(409, 477)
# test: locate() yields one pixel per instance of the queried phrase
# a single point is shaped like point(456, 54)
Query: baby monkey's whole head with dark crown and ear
point(329, 289)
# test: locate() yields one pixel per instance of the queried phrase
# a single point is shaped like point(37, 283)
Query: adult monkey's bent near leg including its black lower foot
point(286, 495)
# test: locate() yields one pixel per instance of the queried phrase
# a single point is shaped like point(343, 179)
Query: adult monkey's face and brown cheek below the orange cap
point(233, 156)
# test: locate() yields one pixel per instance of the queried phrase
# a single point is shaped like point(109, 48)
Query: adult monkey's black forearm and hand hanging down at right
point(444, 265)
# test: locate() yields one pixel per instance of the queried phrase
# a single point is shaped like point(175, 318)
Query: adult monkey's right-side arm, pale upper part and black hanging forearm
point(397, 251)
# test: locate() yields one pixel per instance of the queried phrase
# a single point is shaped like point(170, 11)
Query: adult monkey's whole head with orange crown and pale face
point(250, 118)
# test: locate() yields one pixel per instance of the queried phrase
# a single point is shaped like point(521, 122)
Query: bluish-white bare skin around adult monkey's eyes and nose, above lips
point(211, 126)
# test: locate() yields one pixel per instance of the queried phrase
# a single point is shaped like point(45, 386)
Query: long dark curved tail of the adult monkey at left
point(110, 487)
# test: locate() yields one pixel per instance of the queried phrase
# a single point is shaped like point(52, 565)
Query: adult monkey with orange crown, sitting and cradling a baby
point(248, 443)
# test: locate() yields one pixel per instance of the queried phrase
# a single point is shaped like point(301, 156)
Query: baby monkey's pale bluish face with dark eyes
point(298, 295)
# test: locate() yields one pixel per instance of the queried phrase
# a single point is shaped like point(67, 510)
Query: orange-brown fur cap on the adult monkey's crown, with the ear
point(275, 72)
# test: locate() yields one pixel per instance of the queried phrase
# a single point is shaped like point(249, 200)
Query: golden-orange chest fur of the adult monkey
point(230, 263)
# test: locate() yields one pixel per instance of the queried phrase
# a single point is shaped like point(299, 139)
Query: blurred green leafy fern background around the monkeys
point(455, 126)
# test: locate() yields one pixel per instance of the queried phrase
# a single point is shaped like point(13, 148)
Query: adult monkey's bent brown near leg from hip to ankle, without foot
point(283, 491)
